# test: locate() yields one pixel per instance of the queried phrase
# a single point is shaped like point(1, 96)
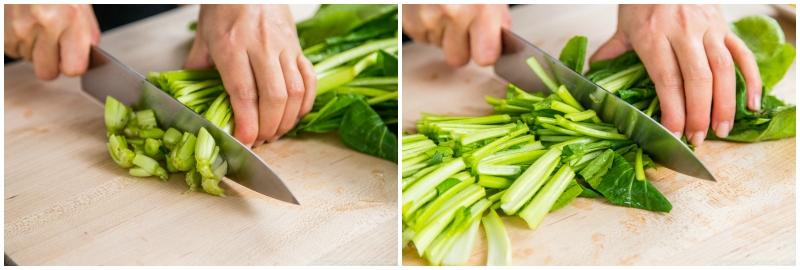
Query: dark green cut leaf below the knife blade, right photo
point(621, 188)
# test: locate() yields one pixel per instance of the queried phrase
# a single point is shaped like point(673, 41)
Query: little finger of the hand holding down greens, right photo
point(747, 65)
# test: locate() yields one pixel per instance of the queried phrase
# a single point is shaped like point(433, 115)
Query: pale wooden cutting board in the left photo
point(67, 203)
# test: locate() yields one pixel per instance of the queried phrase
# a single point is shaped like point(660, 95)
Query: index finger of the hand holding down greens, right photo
point(659, 60)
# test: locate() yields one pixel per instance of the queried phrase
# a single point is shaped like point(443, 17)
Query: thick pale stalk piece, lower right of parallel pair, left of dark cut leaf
point(540, 205)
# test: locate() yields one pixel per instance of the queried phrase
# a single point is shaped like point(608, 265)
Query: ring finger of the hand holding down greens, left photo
point(295, 89)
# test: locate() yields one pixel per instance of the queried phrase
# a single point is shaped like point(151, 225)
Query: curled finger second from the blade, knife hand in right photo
point(456, 41)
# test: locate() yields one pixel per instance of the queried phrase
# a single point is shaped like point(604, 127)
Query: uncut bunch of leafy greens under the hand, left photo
point(354, 52)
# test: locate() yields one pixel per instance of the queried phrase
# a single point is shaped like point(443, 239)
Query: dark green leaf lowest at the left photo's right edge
point(363, 130)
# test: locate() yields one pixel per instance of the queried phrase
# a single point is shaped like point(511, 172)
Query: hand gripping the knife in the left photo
point(56, 38)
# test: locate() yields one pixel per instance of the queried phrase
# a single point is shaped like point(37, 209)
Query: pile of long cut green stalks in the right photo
point(535, 155)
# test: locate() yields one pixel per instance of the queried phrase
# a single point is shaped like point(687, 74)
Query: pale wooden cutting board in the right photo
point(747, 218)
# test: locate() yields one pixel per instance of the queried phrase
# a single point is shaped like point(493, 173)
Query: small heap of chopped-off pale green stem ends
point(198, 156)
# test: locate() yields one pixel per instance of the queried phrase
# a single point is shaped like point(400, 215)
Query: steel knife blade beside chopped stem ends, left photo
point(109, 77)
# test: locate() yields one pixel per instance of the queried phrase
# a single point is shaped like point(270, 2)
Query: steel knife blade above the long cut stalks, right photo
point(663, 147)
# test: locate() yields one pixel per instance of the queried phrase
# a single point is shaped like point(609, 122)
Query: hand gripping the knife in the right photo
point(463, 31)
